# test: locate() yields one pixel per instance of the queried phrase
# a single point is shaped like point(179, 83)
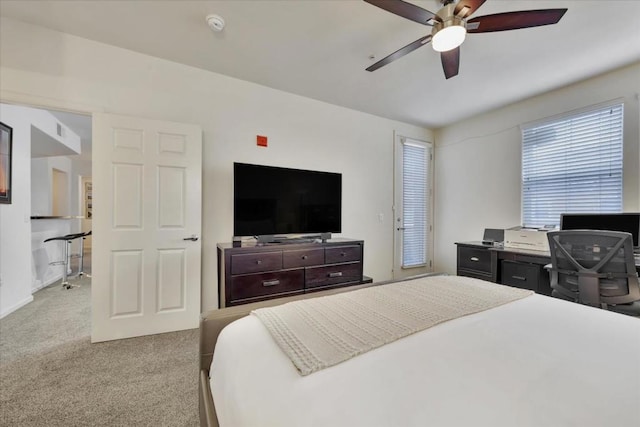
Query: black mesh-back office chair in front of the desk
point(595, 268)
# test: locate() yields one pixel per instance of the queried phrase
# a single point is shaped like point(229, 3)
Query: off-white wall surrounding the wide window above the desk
point(478, 161)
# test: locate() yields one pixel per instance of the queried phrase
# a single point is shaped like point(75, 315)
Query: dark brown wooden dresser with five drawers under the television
point(254, 272)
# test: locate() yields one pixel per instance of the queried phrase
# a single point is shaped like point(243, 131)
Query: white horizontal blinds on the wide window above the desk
point(572, 164)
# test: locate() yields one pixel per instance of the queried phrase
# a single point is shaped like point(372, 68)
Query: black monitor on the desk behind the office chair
point(627, 222)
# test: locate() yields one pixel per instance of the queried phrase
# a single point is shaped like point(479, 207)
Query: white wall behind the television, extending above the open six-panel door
point(56, 70)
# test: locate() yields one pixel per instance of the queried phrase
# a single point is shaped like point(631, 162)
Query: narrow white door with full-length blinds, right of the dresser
point(412, 208)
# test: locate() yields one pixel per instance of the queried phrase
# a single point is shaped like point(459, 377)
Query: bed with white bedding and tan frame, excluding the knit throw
point(533, 361)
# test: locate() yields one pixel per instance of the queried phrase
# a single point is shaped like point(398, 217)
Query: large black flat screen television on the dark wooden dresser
point(270, 200)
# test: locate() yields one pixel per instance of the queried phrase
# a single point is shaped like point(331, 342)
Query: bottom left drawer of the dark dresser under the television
point(259, 285)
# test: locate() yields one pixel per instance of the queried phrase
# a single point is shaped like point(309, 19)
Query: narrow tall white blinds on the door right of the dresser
point(415, 193)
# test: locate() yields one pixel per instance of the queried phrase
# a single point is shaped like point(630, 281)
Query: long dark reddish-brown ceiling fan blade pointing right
point(514, 20)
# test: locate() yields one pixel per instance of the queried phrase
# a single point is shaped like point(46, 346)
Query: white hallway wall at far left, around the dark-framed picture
point(15, 228)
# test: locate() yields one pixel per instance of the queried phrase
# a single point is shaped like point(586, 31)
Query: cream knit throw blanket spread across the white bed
point(320, 332)
